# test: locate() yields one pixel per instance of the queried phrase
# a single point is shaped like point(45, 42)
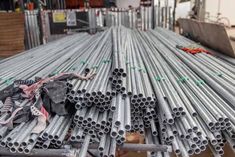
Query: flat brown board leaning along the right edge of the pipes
point(212, 35)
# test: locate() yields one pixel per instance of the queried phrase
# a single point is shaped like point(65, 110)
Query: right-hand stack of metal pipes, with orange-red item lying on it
point(199, 84)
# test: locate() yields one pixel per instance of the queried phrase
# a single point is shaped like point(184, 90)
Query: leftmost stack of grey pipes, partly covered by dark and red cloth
point(43, 61)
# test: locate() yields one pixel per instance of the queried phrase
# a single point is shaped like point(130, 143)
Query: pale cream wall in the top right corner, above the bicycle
point(226, 9)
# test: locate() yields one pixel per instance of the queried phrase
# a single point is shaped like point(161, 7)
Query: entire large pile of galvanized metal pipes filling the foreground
point(143, 83)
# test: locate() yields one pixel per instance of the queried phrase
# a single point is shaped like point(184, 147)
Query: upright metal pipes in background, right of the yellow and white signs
point(143, 18)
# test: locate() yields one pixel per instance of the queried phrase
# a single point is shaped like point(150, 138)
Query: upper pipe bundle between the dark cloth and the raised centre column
point(96, 91)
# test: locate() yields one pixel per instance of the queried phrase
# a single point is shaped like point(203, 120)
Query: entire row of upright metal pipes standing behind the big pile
point(143, 18)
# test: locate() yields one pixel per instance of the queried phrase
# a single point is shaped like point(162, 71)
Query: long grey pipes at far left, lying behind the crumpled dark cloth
point(45, 60)
